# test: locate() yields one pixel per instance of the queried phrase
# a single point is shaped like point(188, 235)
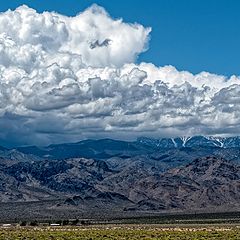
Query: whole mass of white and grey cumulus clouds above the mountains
point(68, 78)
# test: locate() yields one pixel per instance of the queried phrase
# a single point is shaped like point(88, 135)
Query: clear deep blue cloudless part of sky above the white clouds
point(193, 35)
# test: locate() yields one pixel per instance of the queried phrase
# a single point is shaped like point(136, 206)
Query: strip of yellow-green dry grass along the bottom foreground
point(131, 232)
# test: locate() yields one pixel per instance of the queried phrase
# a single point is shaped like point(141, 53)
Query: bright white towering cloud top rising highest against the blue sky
point(115, 42)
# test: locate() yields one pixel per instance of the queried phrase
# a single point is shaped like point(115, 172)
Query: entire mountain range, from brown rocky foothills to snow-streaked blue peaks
point(146, 175)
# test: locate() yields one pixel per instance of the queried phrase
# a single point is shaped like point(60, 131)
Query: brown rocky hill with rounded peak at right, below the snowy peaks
point(205, 182)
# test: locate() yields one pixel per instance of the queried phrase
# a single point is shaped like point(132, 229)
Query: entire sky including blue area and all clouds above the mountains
point(71, 70)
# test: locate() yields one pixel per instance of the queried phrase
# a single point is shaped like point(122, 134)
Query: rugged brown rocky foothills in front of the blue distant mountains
point(139, 185)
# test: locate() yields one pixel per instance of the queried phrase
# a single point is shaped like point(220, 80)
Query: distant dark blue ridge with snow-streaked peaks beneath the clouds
point(106, 148)
